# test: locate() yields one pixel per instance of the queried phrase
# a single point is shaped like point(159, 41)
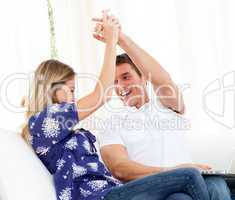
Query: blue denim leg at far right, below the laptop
point(217, 188)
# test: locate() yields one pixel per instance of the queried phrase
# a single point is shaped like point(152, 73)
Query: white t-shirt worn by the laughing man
point(153, 135)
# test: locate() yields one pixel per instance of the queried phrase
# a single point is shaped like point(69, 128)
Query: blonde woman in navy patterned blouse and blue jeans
point(70, 155)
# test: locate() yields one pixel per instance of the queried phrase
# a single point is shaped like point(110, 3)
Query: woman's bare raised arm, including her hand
point(90, 103)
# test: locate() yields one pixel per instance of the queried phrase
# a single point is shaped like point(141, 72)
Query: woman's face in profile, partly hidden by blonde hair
point(66, 92)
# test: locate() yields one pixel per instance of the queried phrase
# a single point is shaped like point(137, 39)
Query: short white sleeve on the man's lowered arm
point(110, 136)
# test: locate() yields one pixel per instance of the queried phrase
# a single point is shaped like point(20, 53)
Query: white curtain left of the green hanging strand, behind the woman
point(25, 42)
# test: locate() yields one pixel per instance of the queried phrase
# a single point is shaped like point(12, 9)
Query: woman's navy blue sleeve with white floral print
point(53, 124)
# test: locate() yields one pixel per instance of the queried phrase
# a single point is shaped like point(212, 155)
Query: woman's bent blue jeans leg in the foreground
point(185, 183)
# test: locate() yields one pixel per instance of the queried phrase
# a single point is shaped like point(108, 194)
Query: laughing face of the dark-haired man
point(130, 87)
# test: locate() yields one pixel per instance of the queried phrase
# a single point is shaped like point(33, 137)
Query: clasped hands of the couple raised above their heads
point(107, 28)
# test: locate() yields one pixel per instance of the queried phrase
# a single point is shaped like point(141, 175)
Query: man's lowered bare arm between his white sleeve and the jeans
point(116, 159)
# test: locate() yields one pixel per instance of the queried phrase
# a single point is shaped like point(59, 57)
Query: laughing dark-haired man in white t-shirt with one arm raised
point(131, 153)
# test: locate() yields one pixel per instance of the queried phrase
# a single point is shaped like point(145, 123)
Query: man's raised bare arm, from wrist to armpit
point(165, 88)
